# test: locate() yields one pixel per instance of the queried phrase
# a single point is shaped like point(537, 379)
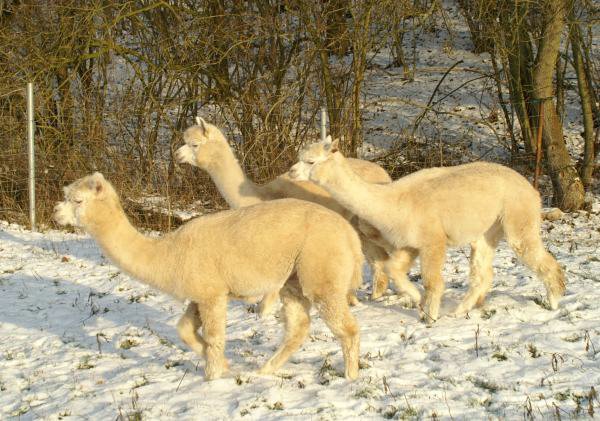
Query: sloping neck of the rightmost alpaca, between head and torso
point(365, 200)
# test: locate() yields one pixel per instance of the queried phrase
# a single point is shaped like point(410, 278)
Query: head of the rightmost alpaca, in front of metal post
point(311, 158)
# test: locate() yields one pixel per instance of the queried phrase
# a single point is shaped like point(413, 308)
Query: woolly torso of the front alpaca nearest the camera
point(255, 249)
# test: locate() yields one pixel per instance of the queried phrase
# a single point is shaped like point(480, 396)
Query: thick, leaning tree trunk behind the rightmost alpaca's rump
point(568, 189)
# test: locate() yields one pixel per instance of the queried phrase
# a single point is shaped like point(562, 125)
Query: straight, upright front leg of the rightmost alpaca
point(432, 262)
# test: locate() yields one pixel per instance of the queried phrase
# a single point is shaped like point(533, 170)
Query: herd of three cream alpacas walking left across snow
point(300, 239)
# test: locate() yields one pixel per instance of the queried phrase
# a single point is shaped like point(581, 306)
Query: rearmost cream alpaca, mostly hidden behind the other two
point(206, 147)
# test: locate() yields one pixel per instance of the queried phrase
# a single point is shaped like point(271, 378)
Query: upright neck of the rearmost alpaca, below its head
point(237, 189)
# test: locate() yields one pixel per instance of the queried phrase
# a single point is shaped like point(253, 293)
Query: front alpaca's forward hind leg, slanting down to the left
point(296, 319)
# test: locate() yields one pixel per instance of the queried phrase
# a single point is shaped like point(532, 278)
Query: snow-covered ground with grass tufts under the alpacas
point(81, 339)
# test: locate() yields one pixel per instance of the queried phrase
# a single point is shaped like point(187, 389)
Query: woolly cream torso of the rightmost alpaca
point(466, 200)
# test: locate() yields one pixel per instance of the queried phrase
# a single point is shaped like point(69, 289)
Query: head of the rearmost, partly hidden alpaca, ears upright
point(204, 145)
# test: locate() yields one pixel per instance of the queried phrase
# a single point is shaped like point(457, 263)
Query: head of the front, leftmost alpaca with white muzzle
point(81, 197)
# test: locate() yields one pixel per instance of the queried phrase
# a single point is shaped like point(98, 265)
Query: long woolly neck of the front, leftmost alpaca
point(142, 257)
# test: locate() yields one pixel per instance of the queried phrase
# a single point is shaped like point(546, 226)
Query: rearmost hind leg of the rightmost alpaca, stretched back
point(522, 230)
